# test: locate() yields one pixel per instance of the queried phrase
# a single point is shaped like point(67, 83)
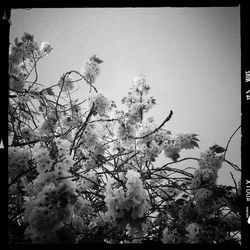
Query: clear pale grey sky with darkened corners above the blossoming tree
point(190, 57)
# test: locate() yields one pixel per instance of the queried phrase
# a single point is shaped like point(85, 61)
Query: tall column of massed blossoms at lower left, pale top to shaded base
point(51, 196)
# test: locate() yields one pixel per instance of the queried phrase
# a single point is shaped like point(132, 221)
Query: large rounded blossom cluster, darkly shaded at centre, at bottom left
point(52, 207)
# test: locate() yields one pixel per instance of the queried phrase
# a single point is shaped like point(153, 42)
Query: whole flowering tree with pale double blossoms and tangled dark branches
point(83, 171)
